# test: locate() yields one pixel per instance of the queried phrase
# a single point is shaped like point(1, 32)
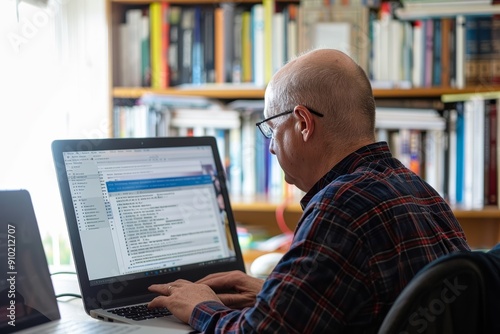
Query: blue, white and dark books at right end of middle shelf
point(473, 153)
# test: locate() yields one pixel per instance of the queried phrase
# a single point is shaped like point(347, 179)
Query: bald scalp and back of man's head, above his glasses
point(331, 83)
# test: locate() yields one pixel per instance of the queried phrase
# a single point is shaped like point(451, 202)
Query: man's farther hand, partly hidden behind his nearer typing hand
point(235, 289)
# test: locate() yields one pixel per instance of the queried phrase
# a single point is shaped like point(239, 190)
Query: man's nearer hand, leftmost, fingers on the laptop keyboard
point(181, 296)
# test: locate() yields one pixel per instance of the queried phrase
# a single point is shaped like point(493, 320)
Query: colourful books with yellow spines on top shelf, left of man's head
point(163, 44)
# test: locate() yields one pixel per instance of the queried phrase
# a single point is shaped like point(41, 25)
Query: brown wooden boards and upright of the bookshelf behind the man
point(482, 226)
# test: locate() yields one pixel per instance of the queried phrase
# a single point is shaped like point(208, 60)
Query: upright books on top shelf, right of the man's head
point(446, 52)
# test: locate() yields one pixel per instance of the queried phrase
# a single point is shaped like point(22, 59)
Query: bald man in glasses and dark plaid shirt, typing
point(369, 223)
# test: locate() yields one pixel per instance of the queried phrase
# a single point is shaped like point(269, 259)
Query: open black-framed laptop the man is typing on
point(143, 211)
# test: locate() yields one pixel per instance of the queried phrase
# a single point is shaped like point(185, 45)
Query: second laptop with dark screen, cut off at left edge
point(28, 303)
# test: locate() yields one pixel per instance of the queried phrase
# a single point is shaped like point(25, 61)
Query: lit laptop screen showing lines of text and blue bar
point(152, 210)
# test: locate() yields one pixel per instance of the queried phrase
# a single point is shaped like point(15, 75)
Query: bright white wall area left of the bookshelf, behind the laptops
point(53, 84)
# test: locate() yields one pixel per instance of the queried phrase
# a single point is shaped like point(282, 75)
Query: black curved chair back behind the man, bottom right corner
point(457, 293)
